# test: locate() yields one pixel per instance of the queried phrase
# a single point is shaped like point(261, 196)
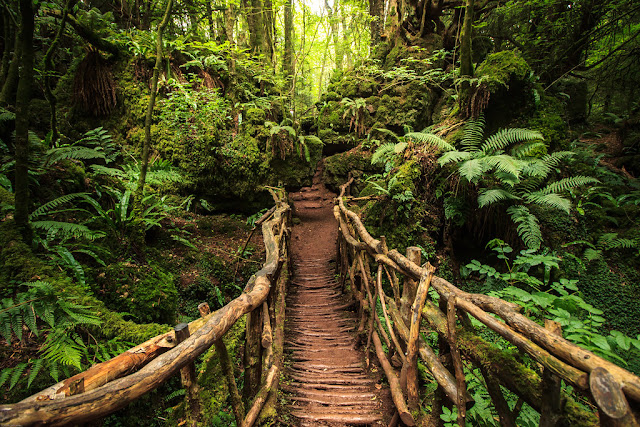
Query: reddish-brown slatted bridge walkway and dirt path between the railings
point(326, 378)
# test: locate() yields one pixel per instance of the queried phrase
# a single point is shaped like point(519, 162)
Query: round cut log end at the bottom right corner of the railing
point(613, 407)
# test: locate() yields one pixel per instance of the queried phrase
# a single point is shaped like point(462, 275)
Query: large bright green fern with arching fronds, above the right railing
point(517, 179)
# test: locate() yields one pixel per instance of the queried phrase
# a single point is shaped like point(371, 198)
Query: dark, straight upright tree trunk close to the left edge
point(23, 98)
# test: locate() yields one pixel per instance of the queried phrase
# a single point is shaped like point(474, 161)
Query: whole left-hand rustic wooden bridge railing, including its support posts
point(115, 383)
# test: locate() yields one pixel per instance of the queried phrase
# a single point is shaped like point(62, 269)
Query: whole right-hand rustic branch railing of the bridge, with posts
point(605, 384)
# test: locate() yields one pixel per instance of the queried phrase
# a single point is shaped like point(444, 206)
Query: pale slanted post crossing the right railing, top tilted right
point(411, 362)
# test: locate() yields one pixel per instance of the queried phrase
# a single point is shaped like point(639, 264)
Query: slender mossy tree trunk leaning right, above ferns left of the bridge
point(152, 101)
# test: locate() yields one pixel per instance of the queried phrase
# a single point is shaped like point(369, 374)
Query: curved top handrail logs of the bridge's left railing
point(99, 389)
